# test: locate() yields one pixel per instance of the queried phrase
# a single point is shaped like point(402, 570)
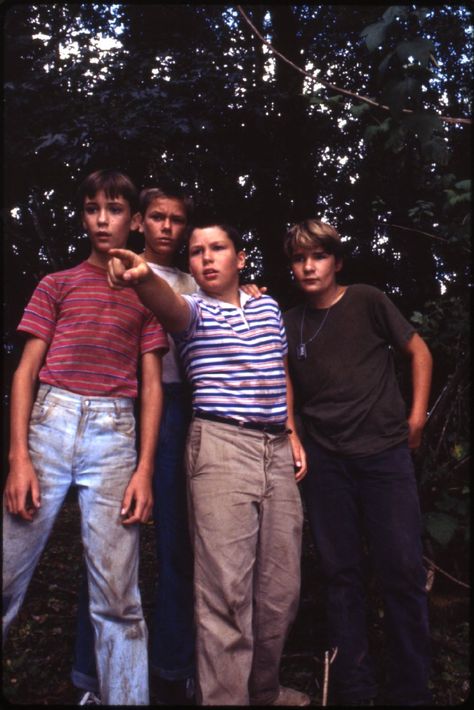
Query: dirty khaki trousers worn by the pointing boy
point(246, 526)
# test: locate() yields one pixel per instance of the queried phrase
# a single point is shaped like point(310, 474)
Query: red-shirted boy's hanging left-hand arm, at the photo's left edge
point(22, 492)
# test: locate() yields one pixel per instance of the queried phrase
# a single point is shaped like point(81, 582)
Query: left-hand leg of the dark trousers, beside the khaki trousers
point(331, 497)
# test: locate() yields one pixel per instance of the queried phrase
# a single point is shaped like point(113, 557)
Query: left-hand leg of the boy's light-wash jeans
point(51, 450)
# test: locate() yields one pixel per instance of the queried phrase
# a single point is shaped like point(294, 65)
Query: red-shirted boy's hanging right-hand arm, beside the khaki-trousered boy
point(138, 498)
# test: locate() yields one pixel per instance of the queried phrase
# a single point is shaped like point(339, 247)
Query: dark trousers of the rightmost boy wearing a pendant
point(372, 498)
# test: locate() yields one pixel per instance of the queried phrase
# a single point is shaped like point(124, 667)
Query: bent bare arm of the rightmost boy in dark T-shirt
point(421, 369)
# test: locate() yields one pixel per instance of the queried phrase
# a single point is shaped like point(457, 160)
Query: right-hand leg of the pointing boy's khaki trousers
point(277, 569)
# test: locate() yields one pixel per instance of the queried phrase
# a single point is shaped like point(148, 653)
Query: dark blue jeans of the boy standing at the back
point(172, 637)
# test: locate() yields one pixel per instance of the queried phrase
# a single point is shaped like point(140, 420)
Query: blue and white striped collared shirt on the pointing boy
point(233, 357)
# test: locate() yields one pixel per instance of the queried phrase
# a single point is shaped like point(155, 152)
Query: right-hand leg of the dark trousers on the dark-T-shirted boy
point(393, 520)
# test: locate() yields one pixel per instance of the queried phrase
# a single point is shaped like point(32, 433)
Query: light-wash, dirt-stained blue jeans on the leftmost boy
point(88, 442)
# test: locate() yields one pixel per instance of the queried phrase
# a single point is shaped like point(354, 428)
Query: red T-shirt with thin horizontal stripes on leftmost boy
point(95, 334)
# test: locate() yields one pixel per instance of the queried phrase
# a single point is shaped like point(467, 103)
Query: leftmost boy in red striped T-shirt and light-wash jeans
point(84, 344)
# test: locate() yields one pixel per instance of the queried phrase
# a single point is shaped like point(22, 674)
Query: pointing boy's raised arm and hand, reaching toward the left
point(129, 269)
